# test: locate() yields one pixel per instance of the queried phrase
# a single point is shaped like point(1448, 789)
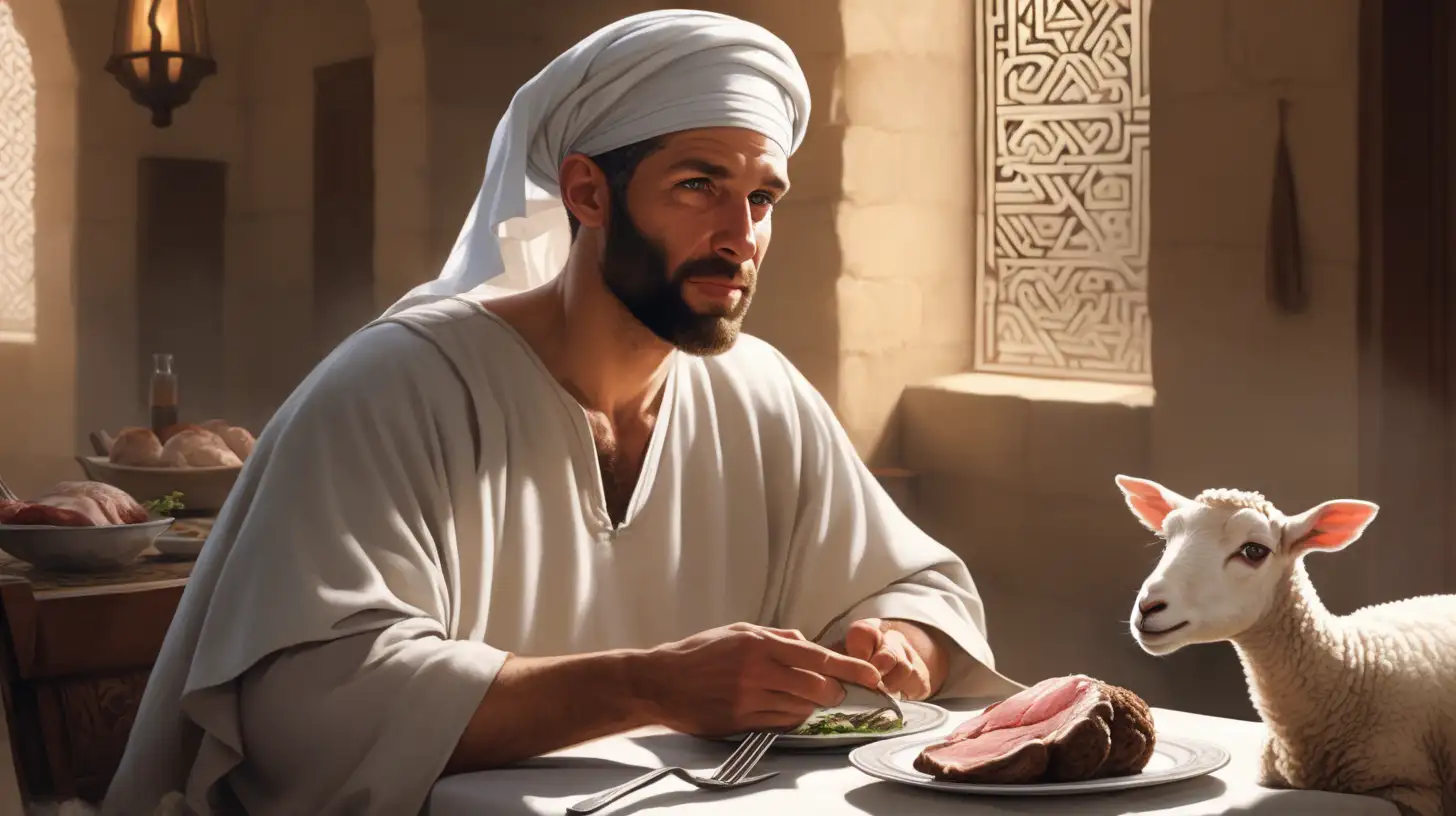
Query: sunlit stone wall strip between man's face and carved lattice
point(906, 222)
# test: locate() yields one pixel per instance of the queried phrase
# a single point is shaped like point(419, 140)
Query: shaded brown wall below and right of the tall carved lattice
point(1020, 482)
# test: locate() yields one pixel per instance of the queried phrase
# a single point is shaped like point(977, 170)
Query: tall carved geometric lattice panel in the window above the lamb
point(1062, 251)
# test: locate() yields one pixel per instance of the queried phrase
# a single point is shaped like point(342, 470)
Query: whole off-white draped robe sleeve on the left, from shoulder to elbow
point(327, 674)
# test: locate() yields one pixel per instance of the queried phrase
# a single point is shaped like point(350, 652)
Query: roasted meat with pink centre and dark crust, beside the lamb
point(1064, 729)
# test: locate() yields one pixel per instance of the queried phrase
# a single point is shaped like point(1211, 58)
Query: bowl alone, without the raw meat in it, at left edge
point(81, 550)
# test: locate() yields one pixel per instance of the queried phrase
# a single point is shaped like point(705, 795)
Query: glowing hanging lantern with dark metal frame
point(161, 53)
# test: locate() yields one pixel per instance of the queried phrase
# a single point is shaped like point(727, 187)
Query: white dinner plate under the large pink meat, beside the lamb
point(1176, 758)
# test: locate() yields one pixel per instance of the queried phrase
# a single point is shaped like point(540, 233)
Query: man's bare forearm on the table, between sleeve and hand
point(542, 705)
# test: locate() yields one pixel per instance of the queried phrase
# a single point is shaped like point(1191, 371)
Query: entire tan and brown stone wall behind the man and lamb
point(867, 288)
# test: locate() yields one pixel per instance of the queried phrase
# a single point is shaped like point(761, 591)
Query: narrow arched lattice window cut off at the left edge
point(17, 184)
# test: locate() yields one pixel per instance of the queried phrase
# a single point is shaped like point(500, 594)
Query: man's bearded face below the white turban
point(684, 250)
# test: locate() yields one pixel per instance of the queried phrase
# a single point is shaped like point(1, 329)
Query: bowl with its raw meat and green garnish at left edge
point(82, 527)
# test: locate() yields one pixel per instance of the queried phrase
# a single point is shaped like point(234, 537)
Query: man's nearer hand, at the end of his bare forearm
point(745, 678)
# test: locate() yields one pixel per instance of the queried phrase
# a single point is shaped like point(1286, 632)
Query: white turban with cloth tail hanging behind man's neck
point(646, 76)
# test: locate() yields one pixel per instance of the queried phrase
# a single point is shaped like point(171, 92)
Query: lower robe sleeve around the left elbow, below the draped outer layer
point(384, 707)
